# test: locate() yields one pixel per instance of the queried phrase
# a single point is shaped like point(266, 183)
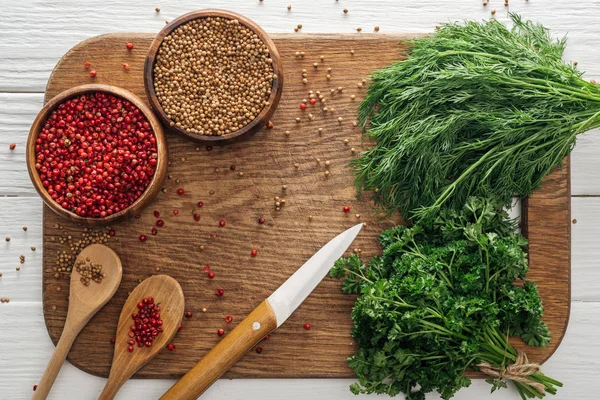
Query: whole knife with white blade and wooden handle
point(264, 319)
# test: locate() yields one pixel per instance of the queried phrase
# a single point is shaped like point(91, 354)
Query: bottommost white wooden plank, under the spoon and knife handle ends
point(26, 347)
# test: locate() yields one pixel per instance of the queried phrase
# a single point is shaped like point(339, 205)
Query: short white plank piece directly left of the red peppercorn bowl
point(17, 112)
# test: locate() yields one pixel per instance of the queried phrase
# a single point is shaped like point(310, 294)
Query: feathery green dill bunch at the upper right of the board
point(477, 109)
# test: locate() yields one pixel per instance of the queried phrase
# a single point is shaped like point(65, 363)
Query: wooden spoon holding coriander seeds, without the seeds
point(84, 303)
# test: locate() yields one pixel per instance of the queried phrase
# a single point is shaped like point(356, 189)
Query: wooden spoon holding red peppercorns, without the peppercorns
point(166, 291)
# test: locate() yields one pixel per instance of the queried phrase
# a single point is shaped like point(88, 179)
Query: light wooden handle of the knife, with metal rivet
point(258, 324)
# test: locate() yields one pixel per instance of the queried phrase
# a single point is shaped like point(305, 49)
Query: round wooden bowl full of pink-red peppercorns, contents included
point(96, 154)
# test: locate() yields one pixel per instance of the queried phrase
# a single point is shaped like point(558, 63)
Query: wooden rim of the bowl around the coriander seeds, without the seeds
point(261, 119)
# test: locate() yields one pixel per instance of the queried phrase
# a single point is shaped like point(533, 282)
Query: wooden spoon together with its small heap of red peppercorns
point(149, 319)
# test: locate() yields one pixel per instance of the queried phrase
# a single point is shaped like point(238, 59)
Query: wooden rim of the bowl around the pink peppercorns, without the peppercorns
point(161, 145)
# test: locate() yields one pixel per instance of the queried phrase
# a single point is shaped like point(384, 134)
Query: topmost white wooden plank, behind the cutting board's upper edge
point(35, 34)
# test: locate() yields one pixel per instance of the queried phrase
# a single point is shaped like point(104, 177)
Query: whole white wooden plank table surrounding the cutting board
point(35, 34)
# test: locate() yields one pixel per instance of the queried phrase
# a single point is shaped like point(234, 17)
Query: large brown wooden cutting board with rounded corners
point(267, 161)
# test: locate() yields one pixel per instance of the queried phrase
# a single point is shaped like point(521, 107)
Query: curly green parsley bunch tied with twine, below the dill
point(440, 300)
